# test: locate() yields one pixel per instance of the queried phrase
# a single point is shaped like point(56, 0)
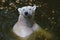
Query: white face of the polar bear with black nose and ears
point(27, 11)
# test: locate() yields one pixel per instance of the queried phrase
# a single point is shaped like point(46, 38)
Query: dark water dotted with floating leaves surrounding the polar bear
point(47, 16)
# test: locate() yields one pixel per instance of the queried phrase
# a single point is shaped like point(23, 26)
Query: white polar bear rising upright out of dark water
point(26, 25)
